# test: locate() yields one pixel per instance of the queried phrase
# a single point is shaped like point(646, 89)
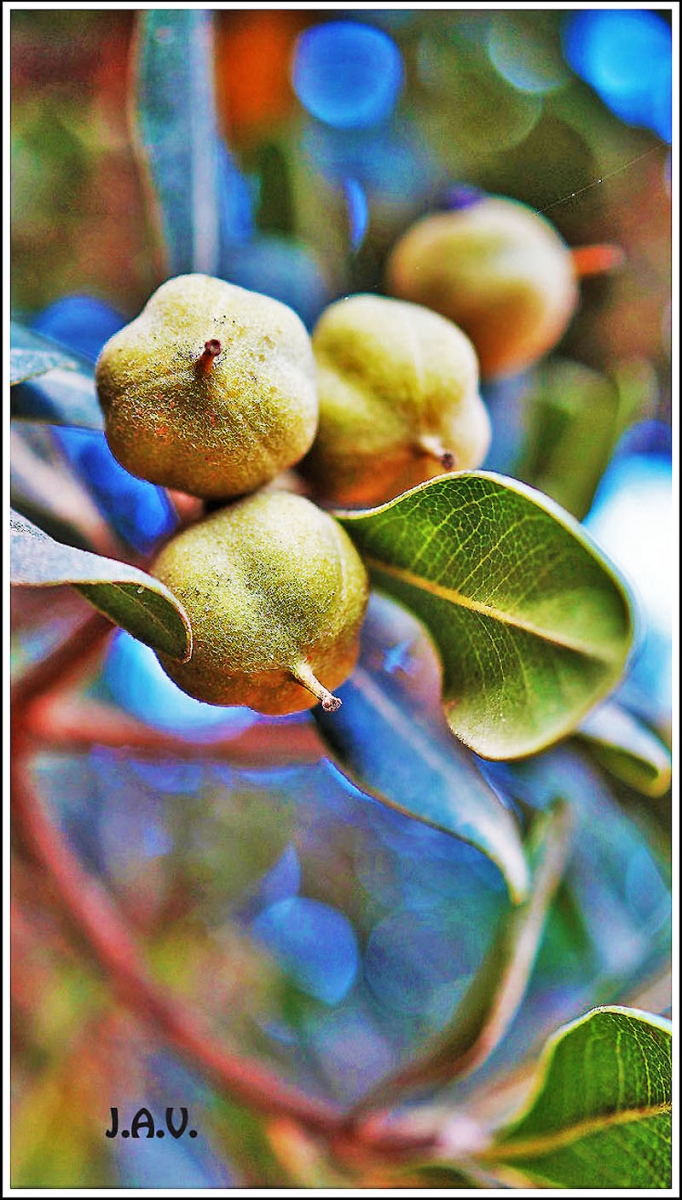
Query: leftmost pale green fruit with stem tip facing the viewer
point(224, 434)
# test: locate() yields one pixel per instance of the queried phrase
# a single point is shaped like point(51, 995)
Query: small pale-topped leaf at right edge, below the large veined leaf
point(629, 749)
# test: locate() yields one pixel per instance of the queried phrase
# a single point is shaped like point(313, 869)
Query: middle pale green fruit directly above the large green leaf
point(391, 374)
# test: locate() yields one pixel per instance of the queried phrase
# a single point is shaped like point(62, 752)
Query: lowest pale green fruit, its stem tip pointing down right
point(268, 583)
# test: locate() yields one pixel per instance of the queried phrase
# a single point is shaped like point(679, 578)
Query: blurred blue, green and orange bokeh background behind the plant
point(318, 929)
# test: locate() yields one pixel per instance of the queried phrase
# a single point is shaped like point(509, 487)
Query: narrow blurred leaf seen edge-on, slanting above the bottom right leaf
point(496, 991)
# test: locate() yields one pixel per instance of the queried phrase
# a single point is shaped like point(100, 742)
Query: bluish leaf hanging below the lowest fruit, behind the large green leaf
point(382, 724)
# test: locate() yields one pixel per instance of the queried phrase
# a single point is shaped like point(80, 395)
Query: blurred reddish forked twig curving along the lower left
point(41, 713)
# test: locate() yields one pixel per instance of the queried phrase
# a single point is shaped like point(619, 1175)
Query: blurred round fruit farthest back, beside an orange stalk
point(496, 268)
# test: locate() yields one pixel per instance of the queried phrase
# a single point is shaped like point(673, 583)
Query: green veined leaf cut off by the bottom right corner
point(601, 1114)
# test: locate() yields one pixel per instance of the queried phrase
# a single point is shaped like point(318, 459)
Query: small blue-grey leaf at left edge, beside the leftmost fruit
point(50, 383)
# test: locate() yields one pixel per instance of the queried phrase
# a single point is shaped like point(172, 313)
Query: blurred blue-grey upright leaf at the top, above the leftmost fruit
point(177, 133)
